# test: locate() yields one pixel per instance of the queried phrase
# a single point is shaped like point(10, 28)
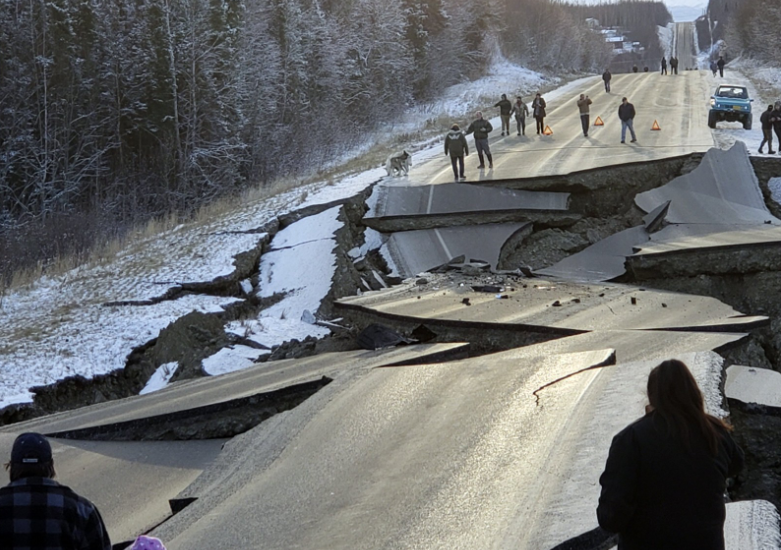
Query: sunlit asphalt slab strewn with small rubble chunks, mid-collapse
point(537, 305)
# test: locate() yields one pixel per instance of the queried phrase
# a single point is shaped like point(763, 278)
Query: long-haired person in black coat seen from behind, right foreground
point(666, 474)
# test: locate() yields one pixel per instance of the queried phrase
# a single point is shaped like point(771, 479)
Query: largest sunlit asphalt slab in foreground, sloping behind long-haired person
point(453, 455)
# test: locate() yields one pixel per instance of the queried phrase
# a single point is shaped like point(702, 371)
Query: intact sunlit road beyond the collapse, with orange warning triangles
point(679, 103)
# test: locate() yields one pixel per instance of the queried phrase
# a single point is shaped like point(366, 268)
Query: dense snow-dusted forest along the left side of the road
point(116, 112)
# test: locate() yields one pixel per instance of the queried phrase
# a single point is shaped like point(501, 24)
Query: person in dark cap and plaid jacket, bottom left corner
point(36, 512)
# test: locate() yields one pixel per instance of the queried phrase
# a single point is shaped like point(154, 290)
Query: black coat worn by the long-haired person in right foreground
point(659, 494)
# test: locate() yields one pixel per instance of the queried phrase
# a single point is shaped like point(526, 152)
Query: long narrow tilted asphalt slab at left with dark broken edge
point(194, 406)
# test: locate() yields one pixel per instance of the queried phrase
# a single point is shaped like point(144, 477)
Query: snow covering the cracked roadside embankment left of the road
point(58, 326)
